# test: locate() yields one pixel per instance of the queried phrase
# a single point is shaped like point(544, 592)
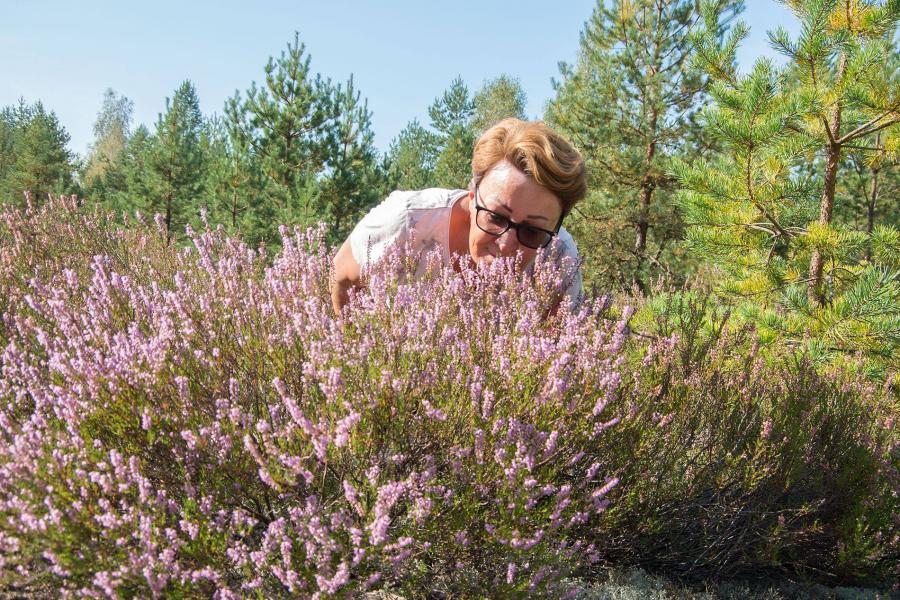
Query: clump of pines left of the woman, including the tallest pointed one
point(300, 150)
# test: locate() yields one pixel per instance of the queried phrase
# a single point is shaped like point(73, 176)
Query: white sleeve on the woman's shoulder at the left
point(384, 225)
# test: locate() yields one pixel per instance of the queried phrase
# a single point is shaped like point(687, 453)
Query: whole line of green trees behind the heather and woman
point(776, 188)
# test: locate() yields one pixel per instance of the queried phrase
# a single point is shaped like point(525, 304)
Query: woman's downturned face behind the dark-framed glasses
point(508, 191)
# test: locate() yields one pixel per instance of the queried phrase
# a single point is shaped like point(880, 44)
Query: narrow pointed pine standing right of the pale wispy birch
point(176, 160)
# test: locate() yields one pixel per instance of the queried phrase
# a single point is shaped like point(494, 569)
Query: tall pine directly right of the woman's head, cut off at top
point(628, 105)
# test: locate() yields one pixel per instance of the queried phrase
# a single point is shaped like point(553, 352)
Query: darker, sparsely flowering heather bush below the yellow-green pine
point(745, 462)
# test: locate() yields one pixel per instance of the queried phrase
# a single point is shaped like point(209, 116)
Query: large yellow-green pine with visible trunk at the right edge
point(762, 211)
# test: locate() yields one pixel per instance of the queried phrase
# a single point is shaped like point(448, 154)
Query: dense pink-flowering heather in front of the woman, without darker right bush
point(194, 422)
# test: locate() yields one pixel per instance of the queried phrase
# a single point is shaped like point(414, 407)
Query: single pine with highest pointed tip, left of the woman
point(286, 123)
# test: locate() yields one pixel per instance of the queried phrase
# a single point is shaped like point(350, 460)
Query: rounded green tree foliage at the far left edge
point(33, 154)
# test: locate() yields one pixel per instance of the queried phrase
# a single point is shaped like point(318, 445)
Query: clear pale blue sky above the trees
point(403, 53)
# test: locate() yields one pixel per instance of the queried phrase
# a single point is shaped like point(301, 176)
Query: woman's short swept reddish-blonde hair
point(536, 150)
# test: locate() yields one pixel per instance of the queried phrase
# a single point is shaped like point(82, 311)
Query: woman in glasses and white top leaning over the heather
point(525, 179)
